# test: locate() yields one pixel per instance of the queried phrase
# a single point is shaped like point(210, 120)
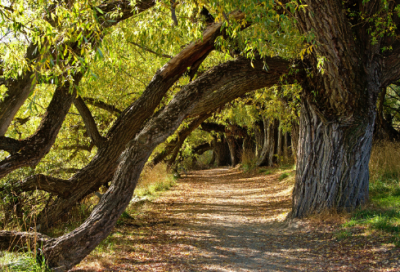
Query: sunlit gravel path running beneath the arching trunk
point(237, 221)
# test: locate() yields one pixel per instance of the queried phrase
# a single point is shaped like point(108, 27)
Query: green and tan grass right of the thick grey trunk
point(382, 215)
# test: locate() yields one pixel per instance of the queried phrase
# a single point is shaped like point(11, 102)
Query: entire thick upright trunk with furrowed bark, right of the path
point(339, 106)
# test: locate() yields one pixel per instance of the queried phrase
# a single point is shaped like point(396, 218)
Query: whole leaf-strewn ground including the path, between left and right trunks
point(227, 220)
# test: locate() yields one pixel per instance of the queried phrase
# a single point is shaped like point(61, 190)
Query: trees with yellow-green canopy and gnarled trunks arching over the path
point(93, 87)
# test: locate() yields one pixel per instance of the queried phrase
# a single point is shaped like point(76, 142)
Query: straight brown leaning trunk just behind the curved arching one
point(104, 164)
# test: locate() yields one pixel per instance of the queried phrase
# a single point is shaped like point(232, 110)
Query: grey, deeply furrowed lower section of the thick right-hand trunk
point(332, 164)
